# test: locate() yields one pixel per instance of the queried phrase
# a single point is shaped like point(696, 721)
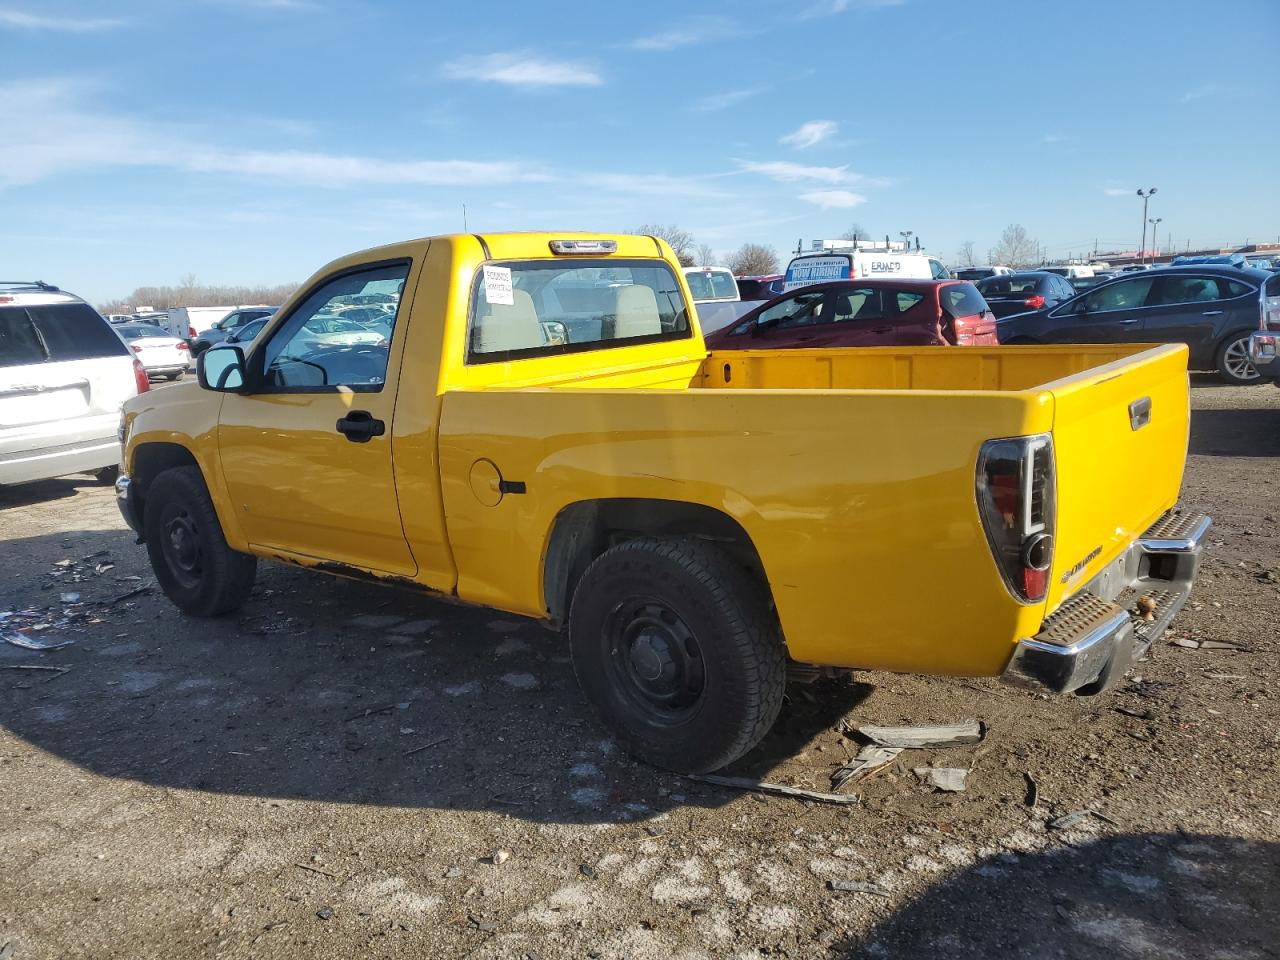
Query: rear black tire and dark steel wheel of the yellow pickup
point(679, 651)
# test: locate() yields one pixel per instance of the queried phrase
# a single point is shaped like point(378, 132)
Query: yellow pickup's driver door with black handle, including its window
point(307, 455)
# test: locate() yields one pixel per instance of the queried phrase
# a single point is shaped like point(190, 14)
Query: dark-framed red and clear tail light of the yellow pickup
point(1017, 500)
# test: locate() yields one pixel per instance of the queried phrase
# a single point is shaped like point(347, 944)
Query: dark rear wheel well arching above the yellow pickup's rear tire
point(586, 531)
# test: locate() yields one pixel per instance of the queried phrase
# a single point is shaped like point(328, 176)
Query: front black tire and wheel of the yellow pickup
point(189, 554)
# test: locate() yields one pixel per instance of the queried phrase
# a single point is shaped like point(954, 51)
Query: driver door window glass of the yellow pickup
point(321, 349)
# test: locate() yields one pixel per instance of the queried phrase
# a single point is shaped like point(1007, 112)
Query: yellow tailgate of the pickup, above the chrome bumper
point(1118, 470)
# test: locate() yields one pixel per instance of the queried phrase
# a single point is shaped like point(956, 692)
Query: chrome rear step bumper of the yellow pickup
point(1090, 642)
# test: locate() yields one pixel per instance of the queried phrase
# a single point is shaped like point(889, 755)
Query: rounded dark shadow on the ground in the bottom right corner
point(1142, 895)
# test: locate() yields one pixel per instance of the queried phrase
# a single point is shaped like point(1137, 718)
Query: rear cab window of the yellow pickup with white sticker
point(527, 309)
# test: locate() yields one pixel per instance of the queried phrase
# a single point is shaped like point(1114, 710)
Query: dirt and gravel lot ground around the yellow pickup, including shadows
point(331, 772)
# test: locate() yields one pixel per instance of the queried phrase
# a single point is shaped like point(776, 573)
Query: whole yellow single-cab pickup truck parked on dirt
point(538, 427)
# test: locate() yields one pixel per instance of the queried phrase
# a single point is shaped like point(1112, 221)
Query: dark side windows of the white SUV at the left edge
point(52, 333)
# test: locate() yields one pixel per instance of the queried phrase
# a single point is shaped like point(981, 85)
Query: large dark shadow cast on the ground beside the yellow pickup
point(331, 691)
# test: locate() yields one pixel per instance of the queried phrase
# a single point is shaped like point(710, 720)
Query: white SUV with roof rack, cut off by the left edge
point(65, 376)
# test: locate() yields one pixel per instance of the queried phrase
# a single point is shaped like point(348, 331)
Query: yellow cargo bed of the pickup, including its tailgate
point(852, 472)
